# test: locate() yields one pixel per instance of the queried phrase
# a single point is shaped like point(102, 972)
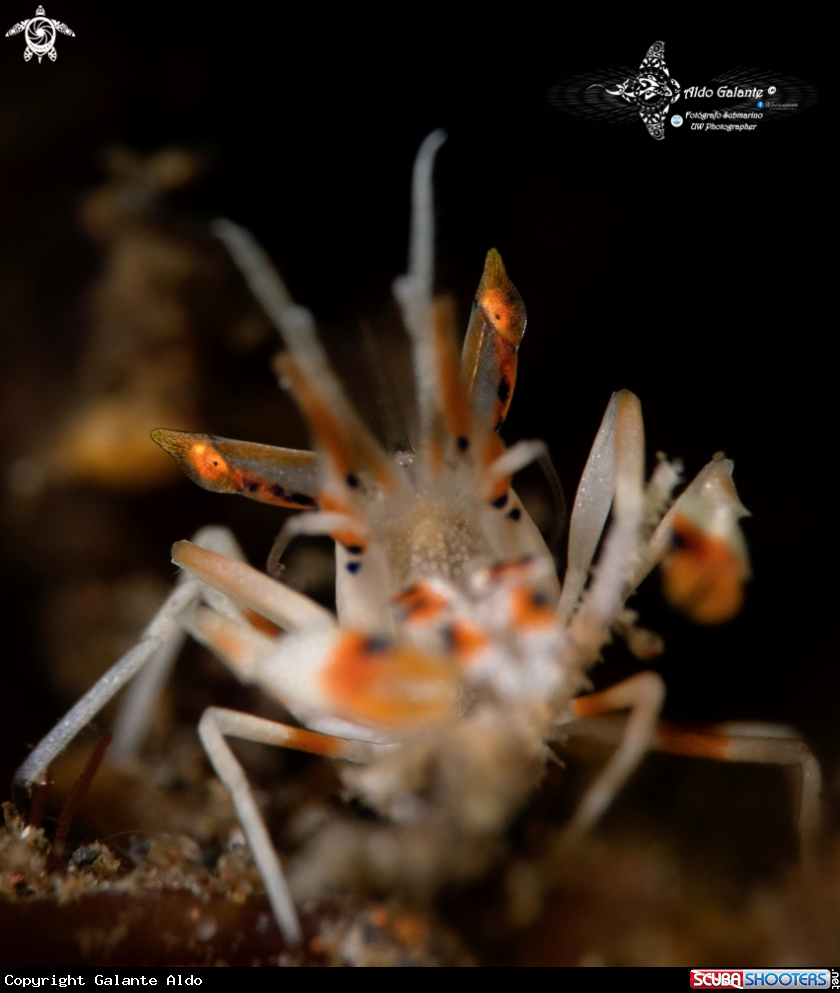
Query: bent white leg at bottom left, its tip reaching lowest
point(217, 722)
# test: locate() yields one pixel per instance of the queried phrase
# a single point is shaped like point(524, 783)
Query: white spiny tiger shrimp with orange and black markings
point(455, 655)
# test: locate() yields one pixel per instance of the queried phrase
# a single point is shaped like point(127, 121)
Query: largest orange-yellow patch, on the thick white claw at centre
point(387, 685)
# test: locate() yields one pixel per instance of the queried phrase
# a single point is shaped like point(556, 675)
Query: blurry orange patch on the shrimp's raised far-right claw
point(703, 576)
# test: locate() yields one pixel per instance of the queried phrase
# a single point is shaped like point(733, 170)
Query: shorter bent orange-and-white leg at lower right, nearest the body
point(644, 694)
